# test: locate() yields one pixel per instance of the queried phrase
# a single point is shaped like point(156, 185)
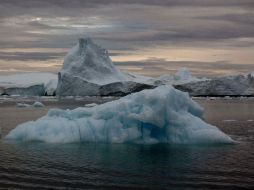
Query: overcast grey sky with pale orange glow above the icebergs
point(149, 37)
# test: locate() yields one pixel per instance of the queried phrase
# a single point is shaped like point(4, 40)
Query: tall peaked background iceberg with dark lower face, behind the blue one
point(88, 71)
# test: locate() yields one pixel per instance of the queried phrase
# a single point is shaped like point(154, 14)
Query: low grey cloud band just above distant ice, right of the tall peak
point(156, 67)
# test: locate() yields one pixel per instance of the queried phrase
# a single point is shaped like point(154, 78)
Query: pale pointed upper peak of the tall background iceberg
point(92, 63)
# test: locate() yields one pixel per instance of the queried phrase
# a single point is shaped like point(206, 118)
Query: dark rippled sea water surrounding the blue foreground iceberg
point(130, 166)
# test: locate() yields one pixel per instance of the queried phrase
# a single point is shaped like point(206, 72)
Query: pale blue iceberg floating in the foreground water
point(161, 115)
